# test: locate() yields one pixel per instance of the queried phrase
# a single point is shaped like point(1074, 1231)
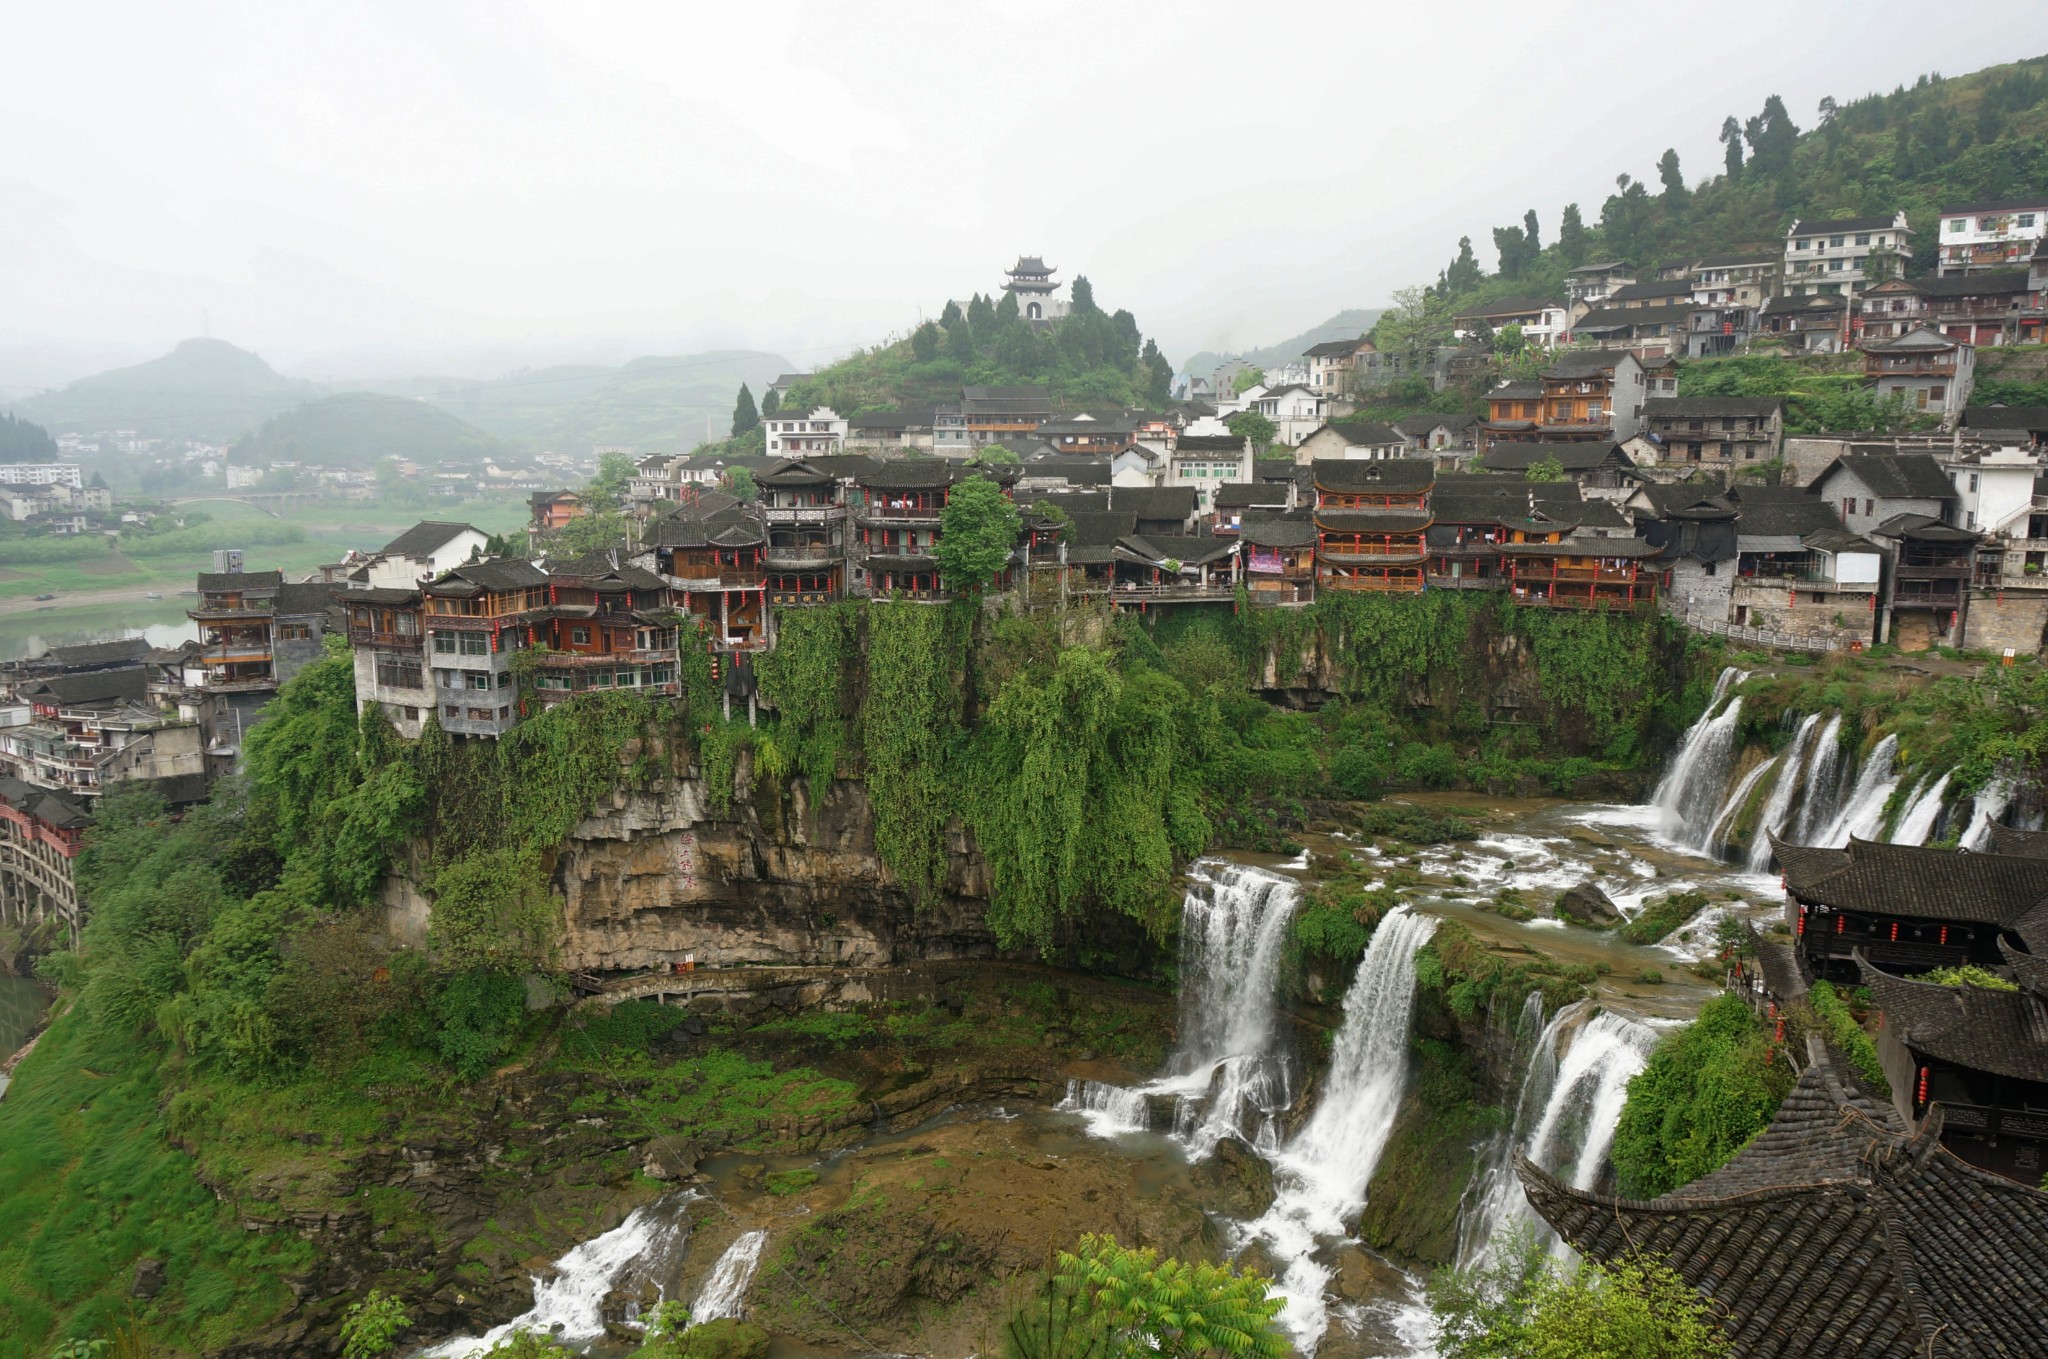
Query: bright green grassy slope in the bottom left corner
point(89, 1186)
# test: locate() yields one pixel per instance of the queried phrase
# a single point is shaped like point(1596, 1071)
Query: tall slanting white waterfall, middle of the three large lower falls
point(1322, 1176)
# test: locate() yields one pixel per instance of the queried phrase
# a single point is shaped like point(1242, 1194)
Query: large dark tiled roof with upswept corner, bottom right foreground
point(1838, 1237)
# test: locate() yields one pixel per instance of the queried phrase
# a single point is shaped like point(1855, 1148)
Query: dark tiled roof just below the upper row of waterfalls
point(1912, 881)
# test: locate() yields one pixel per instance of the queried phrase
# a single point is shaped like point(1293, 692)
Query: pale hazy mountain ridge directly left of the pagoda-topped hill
point(650, 404)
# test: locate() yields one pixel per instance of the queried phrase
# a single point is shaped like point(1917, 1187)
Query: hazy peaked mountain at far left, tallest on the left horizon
point(202, 390)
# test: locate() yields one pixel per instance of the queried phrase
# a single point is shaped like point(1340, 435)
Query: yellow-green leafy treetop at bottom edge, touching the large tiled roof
point(1533, 1309)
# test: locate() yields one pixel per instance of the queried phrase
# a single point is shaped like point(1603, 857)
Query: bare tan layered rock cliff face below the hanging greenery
point(658, 877)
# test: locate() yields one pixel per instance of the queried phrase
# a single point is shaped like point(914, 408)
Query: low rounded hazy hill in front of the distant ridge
point(359, 429)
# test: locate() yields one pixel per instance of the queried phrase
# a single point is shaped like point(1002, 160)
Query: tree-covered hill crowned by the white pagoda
point(1089, 361)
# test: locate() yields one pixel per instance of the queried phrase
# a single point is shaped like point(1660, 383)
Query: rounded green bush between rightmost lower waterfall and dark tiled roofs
point(1701, 1098)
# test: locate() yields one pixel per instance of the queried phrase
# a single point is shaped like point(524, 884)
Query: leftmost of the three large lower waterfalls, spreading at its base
point(1230, 1071)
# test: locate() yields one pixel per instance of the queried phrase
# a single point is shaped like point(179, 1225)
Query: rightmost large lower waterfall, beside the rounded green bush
point(1566, 1119)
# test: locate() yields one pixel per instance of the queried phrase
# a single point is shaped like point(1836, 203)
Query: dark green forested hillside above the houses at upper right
point(1940, 142)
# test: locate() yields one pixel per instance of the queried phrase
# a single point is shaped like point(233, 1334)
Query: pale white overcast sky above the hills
point(361, 187)
